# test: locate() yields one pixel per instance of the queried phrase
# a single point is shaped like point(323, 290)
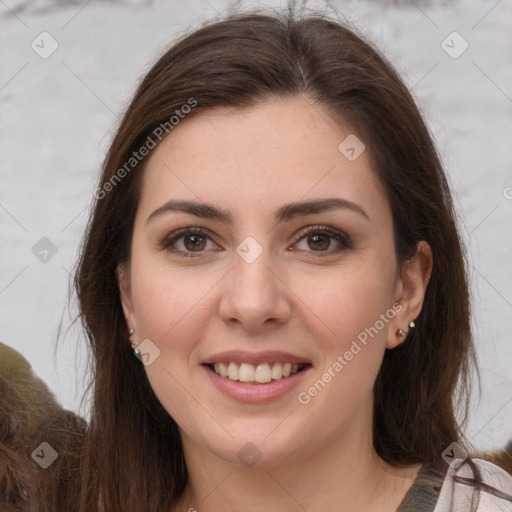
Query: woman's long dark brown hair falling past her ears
point(133, 457)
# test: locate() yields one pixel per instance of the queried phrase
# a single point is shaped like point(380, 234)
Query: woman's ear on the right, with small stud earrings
point(410, 289)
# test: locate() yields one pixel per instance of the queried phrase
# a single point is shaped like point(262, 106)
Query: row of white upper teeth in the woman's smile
point(261, 373)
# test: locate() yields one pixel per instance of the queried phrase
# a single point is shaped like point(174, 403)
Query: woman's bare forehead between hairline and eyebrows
point(257, 158)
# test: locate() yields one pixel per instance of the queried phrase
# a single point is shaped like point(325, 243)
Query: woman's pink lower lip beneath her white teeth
point(248, 392)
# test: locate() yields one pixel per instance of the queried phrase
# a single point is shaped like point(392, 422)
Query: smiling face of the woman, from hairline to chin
point(256, 283)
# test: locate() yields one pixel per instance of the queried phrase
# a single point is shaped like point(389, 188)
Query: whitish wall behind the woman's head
point(57, 116)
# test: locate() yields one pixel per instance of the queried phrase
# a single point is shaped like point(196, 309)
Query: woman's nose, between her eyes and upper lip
point(255, 294)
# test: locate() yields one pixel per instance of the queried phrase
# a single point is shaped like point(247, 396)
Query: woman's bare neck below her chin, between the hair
point(344, 473)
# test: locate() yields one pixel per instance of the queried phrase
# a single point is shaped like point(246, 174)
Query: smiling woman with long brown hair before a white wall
point(273, 238)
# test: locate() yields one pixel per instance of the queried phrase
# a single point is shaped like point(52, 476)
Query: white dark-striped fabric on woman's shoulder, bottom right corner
point(476, 484)
